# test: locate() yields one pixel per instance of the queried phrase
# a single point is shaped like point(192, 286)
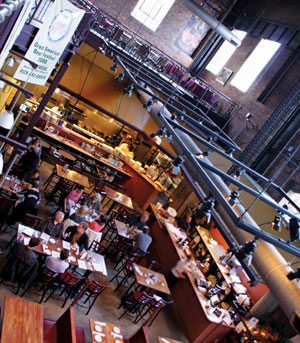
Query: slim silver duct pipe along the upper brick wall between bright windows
point(214, 23)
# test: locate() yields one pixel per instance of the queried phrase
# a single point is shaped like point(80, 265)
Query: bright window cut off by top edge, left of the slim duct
point(151, 12)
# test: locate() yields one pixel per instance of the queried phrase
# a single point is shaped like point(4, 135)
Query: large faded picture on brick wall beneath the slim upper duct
point(191, 35)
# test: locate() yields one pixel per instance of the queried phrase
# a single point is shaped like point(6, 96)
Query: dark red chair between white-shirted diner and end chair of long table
point(69, 284)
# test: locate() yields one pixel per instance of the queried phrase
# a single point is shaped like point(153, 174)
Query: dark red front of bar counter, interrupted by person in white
point(201, 326)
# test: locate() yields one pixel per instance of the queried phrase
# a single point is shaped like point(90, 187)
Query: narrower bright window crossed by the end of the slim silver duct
point(225, 51)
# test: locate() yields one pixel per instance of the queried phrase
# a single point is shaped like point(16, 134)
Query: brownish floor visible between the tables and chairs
point(167, 324)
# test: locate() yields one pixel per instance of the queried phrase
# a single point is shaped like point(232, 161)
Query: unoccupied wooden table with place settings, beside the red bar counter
point(148, 278)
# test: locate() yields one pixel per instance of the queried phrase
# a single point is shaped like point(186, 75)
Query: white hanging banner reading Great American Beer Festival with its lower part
point(59, 24)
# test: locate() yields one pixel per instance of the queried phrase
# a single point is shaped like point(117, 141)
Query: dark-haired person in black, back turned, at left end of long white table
point(22, 264)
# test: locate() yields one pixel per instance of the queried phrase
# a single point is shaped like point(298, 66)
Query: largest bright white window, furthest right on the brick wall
point(254, 64)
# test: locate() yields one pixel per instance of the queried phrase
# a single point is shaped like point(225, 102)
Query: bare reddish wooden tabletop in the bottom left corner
point(22, 321)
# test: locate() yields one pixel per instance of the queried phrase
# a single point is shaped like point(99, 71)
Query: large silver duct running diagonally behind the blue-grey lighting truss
point(269, 263)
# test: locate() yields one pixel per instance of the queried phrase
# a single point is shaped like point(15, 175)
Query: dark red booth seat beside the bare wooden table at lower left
point(63, 330)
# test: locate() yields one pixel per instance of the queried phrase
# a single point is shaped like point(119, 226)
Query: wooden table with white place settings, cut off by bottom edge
point(105, 332)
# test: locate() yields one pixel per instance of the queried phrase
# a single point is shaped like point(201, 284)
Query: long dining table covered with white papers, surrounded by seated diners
point(51, 246)
